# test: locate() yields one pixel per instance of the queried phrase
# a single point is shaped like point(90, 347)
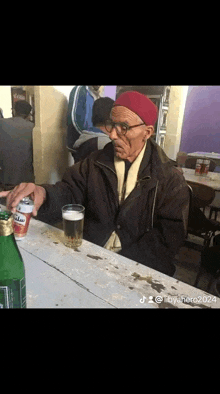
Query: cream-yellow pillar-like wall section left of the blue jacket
point(49, 134)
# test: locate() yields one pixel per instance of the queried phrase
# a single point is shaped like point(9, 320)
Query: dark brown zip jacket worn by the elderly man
point(151, 223)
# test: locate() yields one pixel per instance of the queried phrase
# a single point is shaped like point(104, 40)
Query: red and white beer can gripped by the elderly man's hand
point(22, 218)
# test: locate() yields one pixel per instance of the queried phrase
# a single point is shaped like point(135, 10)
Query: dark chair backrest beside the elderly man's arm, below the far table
point(203, 194)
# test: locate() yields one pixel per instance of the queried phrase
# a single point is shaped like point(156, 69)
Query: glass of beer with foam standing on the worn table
point(73, 221)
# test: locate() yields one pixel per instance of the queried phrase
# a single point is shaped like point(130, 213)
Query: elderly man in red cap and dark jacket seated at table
point(136, 201)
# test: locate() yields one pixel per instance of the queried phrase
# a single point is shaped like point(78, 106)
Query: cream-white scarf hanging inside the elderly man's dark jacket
point(114, 243)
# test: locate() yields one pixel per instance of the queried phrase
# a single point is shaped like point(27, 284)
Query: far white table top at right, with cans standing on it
point(212, 179)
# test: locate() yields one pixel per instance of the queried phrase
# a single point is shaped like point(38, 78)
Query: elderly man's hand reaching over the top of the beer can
point(36, 193)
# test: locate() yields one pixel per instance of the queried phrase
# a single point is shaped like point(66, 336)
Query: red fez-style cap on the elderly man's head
point(140, 105)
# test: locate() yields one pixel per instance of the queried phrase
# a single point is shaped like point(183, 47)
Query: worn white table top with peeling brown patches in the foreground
point(93, 277)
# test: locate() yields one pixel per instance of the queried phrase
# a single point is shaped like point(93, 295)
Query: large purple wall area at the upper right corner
point(201, 124)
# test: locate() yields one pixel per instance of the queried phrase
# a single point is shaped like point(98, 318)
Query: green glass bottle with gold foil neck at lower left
point(12, 272)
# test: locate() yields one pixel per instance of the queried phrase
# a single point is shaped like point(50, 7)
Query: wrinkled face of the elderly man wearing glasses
point(128, 147)
